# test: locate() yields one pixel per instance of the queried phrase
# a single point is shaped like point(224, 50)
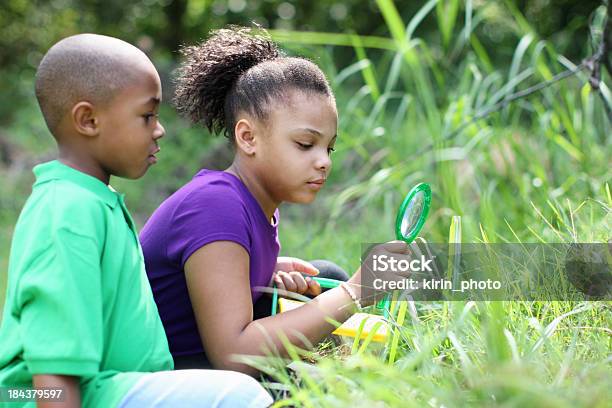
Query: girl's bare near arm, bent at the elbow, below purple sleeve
point(218, 282)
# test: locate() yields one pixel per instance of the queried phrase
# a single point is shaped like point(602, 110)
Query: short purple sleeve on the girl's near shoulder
point(213, 213)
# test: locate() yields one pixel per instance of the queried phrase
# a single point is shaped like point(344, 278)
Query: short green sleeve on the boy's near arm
point(59, 302)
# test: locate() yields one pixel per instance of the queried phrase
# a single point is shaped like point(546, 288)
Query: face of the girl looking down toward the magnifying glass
point(293, 151)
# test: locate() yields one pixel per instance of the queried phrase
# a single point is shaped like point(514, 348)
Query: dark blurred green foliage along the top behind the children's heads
point(29, 27)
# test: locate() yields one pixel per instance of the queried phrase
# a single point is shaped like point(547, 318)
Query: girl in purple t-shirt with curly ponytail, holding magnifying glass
point(210, 244)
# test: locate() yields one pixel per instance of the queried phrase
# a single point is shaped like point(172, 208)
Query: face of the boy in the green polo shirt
point(130, 128)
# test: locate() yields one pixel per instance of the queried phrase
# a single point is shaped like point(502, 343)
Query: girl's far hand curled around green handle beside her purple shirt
point(288, 276)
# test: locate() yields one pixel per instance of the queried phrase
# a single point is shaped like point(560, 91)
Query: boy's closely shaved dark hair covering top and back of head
point(84, 67)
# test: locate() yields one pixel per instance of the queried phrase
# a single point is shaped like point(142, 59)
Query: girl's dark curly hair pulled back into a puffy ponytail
point(238, 69)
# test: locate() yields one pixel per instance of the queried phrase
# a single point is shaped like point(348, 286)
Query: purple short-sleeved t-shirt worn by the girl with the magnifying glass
point(213, 206)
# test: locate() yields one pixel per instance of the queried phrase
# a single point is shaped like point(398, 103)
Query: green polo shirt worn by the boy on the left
point(78, 300)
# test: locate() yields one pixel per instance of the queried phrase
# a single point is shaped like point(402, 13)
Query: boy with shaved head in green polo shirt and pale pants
point(79, 314)
